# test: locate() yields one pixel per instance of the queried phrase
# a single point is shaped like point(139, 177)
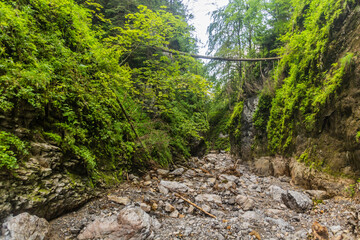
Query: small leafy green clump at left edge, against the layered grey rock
point(11, 148)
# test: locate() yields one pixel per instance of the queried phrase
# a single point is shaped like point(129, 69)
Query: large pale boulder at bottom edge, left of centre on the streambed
point(131, 223)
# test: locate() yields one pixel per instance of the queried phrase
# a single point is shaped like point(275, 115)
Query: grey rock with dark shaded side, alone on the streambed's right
point(296, 201)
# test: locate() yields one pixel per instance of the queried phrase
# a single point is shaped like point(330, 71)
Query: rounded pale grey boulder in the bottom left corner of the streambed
point(25, 227)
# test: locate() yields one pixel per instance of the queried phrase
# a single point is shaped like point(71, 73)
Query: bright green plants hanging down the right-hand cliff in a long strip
point(308, 85)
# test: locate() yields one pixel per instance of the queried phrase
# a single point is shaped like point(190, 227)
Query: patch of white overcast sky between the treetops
point(201, 9)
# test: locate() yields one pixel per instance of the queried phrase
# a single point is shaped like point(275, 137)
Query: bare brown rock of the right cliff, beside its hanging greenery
point(332, 144)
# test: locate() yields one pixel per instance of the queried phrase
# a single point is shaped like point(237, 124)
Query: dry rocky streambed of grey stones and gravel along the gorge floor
point(208, 198)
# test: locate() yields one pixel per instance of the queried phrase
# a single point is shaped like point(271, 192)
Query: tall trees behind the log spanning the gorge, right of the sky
point(244, 28)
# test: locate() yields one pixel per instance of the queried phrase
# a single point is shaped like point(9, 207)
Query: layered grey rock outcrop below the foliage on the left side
point(48, 184)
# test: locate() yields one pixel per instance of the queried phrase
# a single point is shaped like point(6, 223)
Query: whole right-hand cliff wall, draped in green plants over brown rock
point(314, 115)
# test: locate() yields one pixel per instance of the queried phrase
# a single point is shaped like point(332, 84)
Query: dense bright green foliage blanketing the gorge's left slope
point(67, 71)
